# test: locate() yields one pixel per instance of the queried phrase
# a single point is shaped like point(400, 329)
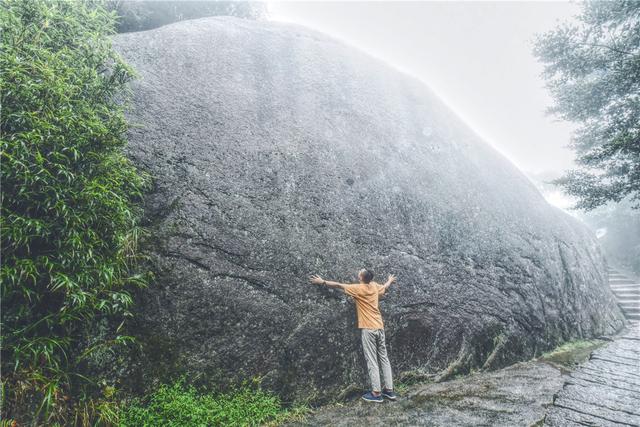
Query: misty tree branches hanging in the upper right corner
point(592, 69)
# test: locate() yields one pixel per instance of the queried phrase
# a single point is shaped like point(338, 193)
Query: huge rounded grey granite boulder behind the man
point(278, 153)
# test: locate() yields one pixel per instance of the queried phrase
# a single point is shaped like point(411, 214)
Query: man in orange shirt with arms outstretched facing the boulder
point(366, 295)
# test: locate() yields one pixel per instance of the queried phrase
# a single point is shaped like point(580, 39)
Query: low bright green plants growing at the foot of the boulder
point(183, 405)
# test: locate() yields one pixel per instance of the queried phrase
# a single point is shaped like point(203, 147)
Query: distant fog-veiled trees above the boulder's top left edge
point(145, 15)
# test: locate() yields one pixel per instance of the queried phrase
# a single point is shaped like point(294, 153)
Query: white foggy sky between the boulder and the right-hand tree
point(476, 55)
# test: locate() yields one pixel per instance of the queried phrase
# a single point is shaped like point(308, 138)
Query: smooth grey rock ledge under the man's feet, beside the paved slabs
point(514, 396)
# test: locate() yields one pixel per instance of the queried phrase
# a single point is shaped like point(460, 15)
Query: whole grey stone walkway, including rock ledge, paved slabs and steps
point(602, 391)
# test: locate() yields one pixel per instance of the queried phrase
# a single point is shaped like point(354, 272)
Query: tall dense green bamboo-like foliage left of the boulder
point(69, 200)
